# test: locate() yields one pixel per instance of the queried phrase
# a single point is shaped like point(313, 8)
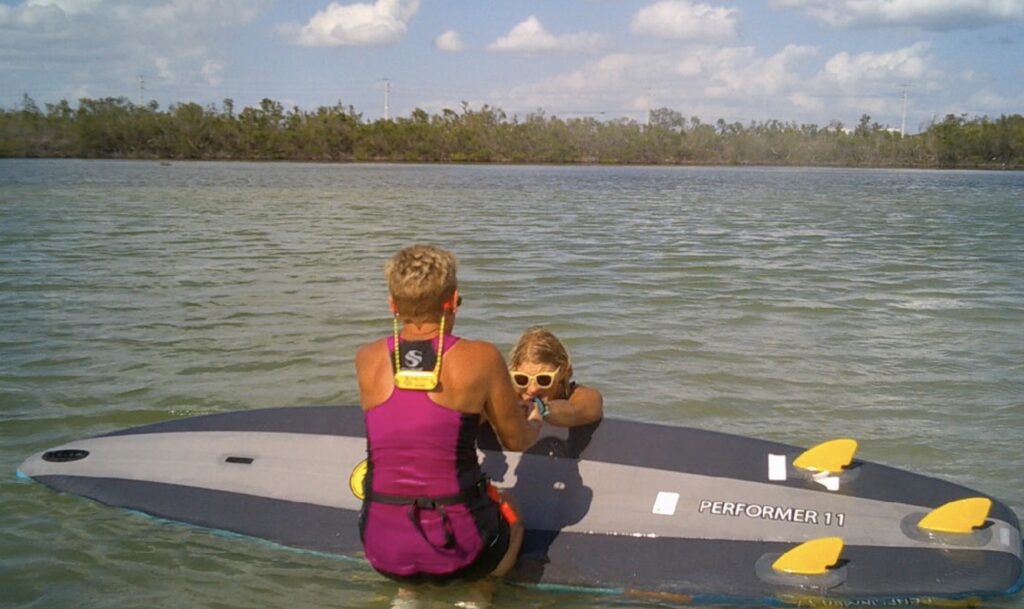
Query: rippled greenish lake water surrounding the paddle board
point(789, 304)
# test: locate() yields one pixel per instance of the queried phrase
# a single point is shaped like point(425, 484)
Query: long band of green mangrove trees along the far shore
point(116, 128)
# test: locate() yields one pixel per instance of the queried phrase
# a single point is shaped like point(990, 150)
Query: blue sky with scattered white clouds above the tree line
point(808, 62)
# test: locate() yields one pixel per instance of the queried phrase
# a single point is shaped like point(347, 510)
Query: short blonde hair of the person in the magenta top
point(421, 279)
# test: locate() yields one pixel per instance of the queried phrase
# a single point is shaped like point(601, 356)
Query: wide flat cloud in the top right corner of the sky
point(929, 15)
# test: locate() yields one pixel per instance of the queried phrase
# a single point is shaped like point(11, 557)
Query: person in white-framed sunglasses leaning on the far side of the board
point(541, 371)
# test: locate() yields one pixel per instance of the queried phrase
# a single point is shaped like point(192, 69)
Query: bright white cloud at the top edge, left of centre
point(385, 22)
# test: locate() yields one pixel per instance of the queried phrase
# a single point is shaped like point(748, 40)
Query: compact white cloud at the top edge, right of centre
point(681, 20)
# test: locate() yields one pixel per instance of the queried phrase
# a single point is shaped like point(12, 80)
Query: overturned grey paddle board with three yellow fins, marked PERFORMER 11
point(620, 506)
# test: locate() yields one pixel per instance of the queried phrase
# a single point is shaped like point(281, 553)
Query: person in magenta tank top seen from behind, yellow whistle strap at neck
point(429, 512)
